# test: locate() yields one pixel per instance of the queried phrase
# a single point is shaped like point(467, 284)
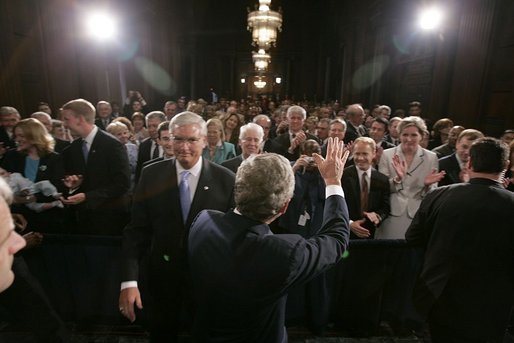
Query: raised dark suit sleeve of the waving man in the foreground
point(313, 256)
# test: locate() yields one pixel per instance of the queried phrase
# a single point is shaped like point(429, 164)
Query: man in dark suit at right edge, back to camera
point(467, 278)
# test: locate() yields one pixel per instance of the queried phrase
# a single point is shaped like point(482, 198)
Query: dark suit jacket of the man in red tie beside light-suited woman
point(378, 199)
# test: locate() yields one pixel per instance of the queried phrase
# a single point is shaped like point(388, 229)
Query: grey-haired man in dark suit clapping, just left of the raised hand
point(288, 143)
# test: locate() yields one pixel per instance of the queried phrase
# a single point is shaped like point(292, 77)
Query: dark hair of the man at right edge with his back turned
point(488, 155)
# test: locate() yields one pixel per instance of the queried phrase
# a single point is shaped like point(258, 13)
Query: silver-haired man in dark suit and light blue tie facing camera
point(168, 197)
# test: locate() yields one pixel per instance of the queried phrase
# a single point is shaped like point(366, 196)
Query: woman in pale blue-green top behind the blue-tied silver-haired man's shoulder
point(217, 150)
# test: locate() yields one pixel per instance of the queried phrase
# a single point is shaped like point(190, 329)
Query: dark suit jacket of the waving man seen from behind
point(241, 272)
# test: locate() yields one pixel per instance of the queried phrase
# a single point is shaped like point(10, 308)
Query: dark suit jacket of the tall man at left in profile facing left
point(106, 181)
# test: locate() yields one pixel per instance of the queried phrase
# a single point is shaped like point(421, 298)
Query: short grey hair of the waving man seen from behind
point(264, 184)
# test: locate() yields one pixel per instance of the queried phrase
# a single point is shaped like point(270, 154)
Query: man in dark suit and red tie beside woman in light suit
point(367, 190)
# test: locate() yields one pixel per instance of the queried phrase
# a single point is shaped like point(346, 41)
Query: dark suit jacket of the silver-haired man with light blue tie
point(157, 223)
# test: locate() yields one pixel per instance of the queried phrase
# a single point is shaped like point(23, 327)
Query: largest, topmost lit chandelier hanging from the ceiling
point(264, 24)
